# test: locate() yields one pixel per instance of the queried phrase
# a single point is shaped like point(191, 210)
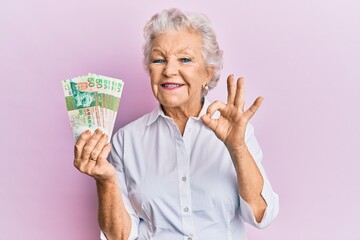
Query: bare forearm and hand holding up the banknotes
point(91, 152)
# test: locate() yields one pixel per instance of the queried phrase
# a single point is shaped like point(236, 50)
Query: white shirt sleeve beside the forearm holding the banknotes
point(116, 159)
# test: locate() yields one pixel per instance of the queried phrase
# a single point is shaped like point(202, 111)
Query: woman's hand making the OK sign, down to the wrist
point(230, 127)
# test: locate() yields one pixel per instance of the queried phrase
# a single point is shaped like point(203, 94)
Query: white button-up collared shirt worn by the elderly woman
point(183, 187)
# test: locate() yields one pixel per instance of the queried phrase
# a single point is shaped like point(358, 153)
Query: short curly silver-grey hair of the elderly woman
point(174, 19)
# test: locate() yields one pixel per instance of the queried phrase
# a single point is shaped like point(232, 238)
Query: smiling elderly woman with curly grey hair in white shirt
point(189, 169)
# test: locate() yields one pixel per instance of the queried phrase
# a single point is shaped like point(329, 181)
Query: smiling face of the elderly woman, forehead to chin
point(177, 69)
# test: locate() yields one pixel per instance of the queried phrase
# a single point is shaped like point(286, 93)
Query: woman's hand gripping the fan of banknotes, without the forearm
point(91, 151)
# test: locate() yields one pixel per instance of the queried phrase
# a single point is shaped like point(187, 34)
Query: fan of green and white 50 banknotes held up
point(92, 102)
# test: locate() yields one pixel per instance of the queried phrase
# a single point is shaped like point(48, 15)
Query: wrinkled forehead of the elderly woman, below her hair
point(177, 42)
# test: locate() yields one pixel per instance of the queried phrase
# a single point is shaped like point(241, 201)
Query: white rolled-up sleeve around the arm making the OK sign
point(270, 197)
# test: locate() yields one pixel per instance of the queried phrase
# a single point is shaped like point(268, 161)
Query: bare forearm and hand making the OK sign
point(230, 128)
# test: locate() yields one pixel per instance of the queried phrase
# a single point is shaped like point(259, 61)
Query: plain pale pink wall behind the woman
point(303, 56)
